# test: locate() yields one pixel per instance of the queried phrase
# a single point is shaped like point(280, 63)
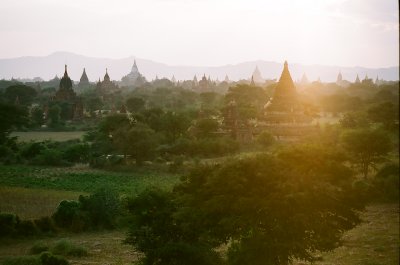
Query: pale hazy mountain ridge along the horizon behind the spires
point(47, 67)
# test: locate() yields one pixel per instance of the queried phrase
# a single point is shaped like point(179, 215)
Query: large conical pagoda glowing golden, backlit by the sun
point(284, 114)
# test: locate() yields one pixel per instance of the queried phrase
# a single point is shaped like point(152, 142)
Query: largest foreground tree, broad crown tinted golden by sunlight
point(267, 209)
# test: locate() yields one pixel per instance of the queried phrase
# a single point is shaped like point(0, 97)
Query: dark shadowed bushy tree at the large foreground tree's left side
point(154, 231)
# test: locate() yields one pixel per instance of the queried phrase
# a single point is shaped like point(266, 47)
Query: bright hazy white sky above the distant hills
point(206, 32)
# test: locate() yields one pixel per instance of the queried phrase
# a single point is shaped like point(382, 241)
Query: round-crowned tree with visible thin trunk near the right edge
point(367, 147)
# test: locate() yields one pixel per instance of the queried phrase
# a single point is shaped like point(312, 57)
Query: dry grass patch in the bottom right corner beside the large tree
point(374, 242)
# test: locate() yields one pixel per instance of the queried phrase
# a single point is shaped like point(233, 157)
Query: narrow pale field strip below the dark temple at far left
point(41, 136)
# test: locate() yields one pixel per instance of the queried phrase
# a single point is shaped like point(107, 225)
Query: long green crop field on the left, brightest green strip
point(83, 179)
